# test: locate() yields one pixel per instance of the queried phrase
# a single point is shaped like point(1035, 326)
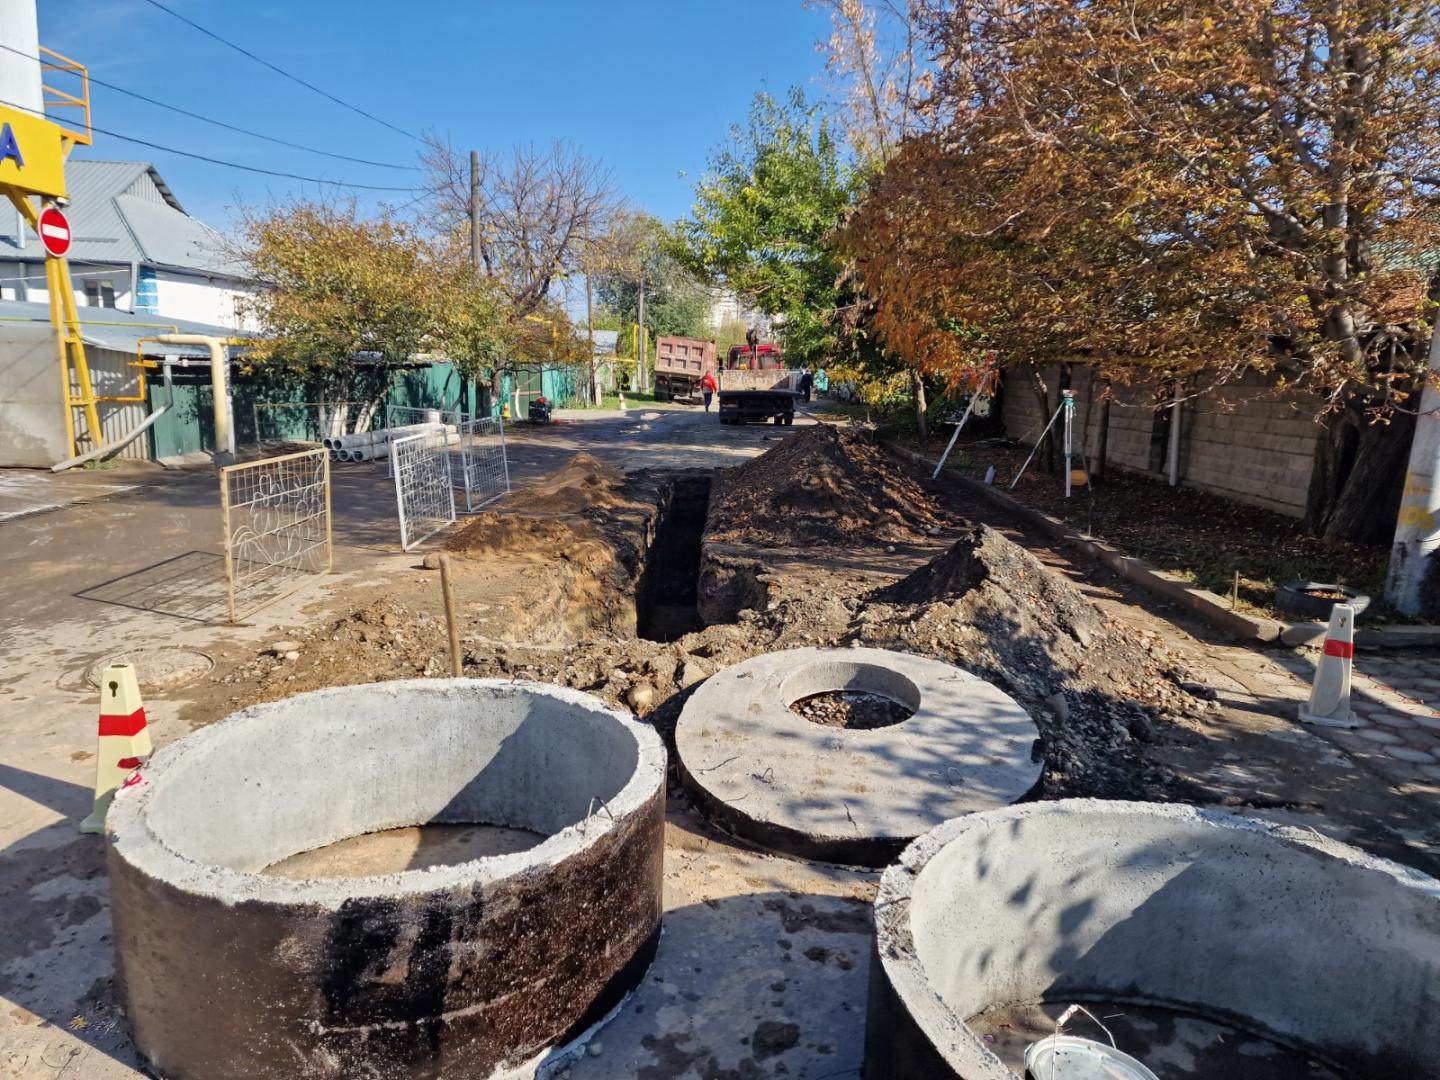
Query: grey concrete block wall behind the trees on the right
point(1241, 441)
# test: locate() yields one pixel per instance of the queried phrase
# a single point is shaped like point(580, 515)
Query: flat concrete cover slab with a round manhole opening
point(840, 796)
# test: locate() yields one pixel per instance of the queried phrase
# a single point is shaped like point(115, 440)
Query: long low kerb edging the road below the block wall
point(1203, 603)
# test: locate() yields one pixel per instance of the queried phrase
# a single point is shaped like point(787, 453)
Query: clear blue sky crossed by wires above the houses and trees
point(650, 89)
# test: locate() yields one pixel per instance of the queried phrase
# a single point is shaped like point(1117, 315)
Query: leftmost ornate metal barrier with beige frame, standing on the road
point(277, 528)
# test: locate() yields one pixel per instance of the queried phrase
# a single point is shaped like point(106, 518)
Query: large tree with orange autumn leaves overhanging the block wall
point(1177, 191)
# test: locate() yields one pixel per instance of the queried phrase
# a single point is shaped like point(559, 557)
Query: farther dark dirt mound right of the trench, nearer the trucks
point(822, 486)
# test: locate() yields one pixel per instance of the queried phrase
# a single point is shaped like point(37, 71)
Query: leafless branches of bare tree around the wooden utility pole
point(539, 208)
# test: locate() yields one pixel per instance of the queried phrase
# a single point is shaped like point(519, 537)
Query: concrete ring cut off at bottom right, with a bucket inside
point(1275, 931)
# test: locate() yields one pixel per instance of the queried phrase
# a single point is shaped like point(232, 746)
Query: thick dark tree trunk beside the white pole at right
point(1359, 477)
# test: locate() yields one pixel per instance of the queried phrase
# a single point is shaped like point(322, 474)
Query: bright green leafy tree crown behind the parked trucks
point(764, 218)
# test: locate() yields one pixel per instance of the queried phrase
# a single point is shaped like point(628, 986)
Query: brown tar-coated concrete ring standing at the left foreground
point(473, 970)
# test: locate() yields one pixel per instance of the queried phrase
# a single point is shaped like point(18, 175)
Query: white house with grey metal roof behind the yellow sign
point(135, 250)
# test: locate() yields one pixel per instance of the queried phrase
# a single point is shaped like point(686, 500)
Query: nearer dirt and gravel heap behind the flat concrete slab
point(1098, 693)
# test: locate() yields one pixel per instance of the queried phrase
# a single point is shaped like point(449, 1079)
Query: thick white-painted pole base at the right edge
point(1418, 529)
